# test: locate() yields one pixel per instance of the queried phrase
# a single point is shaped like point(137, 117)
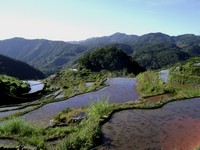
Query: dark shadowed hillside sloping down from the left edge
point(18, 69)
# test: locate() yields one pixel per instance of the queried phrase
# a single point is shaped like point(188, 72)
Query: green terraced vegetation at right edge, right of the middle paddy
point(183, 81)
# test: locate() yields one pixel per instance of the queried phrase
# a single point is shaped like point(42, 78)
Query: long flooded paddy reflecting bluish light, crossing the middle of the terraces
point(120, 90)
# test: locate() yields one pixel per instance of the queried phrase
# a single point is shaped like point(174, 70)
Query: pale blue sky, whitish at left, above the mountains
point(70, 20)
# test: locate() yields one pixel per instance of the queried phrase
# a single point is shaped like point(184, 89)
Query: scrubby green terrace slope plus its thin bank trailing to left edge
point(71, 83)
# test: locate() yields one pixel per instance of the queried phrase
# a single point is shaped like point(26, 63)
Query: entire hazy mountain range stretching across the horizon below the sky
point(153, 50)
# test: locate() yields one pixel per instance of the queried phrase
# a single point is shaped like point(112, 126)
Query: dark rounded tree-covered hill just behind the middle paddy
point(109, 58)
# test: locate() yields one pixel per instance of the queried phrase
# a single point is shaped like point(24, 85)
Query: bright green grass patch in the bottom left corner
point(29, 135)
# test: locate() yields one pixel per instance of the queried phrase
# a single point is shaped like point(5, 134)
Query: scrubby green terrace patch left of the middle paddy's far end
point(72, 83)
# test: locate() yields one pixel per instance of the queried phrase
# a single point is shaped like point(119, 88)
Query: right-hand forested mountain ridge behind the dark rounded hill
point(153, 50)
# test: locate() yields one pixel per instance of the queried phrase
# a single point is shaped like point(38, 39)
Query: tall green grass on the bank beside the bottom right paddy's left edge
point(89, 132)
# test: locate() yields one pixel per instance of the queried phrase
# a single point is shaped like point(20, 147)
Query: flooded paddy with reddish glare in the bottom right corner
point(174, 126)
